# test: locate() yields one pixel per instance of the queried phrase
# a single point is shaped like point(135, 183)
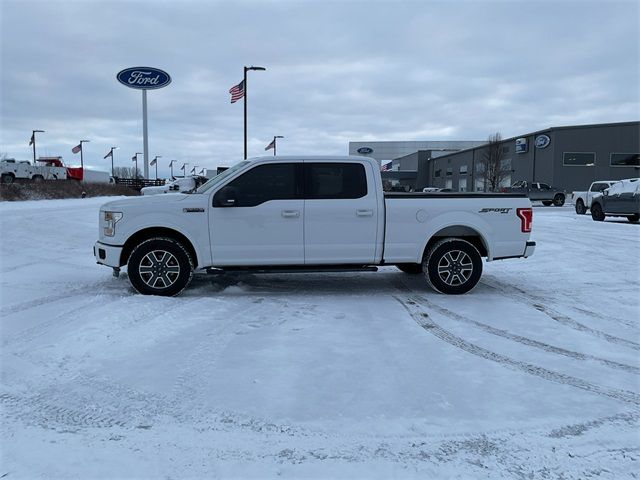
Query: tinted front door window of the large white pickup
point(273, 181)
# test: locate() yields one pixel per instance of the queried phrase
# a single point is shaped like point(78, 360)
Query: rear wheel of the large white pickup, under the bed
point(452, 266)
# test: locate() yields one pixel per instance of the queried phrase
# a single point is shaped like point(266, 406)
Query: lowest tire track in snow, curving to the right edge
point(411, 305)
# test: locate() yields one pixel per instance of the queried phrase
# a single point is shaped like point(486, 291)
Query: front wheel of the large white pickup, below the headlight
point(172, 261)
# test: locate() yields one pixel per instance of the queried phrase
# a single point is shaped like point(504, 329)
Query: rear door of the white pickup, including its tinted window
point(341, 213)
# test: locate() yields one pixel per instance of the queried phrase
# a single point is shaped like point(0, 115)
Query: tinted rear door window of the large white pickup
point(335, 180)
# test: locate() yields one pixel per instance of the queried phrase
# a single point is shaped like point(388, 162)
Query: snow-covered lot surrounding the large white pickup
point(534, 374)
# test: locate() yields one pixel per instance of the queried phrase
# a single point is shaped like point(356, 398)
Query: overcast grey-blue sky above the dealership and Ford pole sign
point(336, 72)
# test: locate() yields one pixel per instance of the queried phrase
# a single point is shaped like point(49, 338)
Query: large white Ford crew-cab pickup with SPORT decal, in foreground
point(298, 214)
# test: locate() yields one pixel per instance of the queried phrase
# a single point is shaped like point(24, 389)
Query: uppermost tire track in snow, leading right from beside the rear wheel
point(536, 302)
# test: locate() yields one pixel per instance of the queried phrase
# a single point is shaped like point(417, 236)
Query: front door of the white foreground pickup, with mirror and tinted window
point(265, 227)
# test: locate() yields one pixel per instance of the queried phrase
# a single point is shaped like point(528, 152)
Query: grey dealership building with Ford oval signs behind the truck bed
point(569, 157)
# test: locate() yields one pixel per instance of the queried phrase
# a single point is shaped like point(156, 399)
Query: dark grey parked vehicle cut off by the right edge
point(622, 199)
